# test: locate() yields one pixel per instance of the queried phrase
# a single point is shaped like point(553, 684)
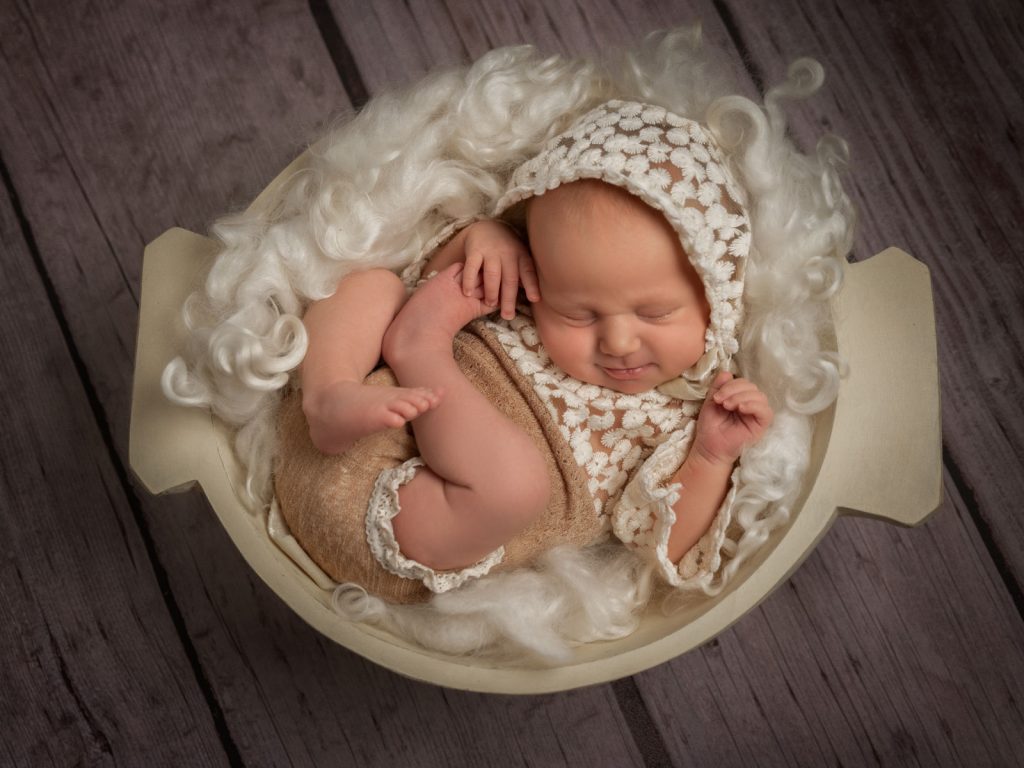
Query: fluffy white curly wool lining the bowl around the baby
point(381, 187)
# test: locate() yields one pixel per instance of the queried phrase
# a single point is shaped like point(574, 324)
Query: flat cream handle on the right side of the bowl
point(886, 435)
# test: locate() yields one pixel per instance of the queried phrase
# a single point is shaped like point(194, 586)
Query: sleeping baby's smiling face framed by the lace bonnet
point(621, 305)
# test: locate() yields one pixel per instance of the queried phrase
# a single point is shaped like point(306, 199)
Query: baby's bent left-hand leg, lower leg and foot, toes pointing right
point(346, 333)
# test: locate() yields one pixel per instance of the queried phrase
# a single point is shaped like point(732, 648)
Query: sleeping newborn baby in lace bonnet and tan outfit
point(606, 404)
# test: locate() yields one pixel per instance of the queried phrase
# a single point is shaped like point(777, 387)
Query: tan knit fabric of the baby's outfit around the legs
point(324, 498)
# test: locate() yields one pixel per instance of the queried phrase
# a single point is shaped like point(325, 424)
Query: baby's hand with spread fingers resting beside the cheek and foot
point(498, 258)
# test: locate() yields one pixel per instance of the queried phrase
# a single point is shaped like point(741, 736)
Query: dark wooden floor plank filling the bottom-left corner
point(87, 639)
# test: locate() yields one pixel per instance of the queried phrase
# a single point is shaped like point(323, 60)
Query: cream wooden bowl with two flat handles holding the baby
point(877, 452)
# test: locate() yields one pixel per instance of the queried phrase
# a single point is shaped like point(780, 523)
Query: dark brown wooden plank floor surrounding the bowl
point(133, 632)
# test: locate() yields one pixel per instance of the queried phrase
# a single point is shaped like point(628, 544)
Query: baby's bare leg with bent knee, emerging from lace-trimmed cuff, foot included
point(485, 481)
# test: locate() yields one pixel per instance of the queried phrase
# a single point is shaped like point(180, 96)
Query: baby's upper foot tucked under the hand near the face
point(434, 316)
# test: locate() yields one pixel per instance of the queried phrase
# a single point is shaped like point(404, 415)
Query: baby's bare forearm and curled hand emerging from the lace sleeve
point(736, 415)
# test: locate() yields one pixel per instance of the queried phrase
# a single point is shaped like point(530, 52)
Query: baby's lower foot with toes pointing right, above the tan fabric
point(350, 411)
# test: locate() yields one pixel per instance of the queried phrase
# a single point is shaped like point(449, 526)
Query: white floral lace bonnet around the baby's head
point(675, 166)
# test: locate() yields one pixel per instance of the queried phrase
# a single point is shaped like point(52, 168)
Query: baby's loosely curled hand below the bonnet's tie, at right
point(735, 415)
